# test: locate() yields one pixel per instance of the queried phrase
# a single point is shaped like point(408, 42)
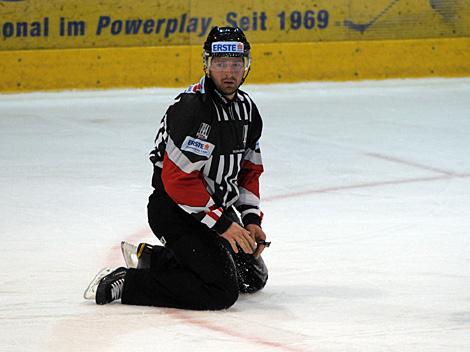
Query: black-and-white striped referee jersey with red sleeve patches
point(207, 156)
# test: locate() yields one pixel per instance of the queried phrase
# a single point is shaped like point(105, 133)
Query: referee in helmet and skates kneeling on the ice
point(207, 165)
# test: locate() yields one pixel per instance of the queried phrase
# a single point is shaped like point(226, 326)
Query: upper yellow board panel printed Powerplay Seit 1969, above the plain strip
point(27, 24)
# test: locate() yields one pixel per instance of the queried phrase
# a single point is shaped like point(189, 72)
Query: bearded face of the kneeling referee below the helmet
point(227, 73)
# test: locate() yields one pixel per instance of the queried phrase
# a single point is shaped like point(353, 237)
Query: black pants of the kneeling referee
point(196, 269)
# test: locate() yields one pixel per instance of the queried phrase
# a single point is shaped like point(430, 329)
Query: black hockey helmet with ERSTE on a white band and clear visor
point(227, 41)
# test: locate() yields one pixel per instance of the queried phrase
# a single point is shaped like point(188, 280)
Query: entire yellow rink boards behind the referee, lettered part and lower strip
point(64, 45)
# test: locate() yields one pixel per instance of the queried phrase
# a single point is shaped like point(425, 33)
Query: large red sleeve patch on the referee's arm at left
point(183, 188)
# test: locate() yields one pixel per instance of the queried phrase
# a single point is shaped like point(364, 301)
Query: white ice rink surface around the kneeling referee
point(366, 195)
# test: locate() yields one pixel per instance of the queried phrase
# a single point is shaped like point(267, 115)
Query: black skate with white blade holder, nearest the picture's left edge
point(107, 286)
